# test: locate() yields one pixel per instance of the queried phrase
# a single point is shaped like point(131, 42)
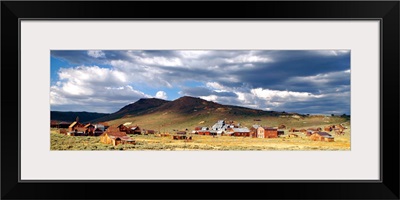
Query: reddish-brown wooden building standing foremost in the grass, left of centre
point(115, 137)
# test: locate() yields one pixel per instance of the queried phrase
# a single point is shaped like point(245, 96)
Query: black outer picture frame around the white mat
point(386, 11)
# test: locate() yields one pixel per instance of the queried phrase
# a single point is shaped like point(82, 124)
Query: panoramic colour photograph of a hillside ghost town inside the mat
point(199, 100)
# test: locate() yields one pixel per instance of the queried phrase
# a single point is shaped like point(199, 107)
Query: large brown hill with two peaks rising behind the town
point(189, 112)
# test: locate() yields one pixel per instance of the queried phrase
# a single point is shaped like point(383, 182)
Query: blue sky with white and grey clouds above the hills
point(302, 81)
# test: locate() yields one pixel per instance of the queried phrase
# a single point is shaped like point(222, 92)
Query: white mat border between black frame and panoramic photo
point(362, 37)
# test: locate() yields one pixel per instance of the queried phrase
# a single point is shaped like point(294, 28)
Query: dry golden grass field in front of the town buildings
point(151, 142)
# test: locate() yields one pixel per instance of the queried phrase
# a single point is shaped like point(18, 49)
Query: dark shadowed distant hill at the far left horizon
point(71, 116)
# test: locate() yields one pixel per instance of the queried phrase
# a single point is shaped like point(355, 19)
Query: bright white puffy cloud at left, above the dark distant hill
point(85, 87)
